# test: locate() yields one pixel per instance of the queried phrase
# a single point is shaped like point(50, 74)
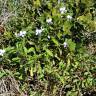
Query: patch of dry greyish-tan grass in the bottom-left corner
point(9, 87)
